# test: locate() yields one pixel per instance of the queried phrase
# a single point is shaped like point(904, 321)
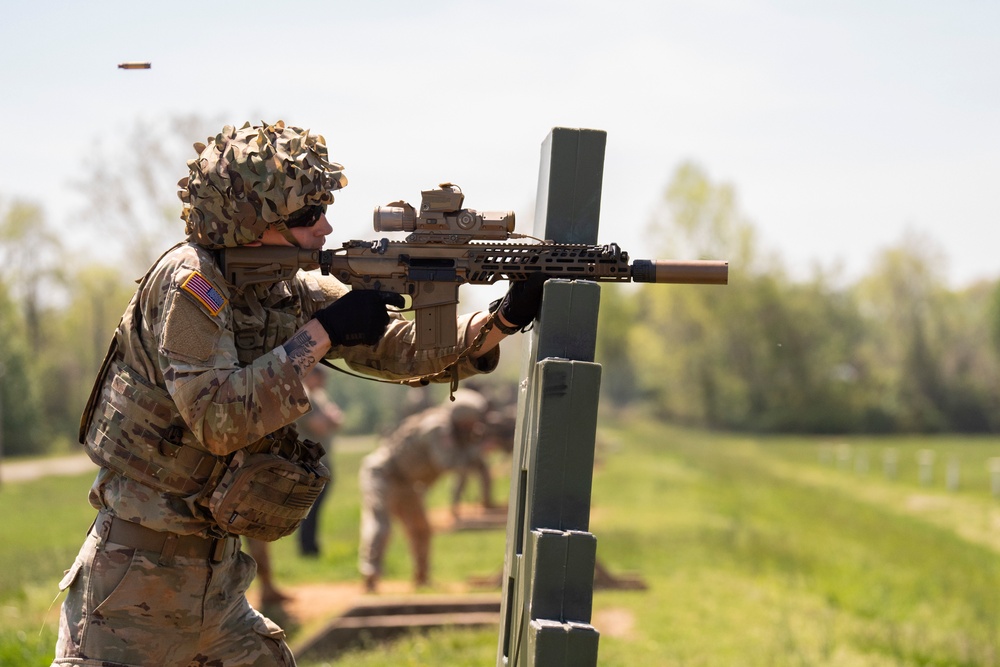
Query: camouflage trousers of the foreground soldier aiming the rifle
point(125, 608)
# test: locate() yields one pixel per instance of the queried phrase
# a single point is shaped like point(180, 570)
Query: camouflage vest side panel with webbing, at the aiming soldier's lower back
point(133, 430)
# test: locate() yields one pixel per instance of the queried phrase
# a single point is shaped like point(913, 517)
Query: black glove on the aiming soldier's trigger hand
point(359, 317)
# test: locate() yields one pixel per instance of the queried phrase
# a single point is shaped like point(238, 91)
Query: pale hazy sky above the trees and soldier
point(840, 123)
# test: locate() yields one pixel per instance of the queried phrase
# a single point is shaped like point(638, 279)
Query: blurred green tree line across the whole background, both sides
point(895, 351)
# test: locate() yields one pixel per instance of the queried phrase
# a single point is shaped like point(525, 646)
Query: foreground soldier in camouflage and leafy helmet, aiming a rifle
point(192, 416)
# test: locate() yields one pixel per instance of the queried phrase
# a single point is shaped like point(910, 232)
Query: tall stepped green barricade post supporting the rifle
point(548, 583)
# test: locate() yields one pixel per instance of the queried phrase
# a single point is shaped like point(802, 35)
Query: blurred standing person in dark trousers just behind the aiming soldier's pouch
point(319, 425)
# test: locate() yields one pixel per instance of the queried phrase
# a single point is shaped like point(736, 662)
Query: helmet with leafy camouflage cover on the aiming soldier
point(245, 180)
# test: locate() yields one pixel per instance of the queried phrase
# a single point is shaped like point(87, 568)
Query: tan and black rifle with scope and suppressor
point(449, 246)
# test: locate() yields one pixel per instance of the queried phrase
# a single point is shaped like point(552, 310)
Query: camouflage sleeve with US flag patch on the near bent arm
point(187, 316)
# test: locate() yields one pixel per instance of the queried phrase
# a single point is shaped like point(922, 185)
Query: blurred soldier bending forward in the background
point(395, 477)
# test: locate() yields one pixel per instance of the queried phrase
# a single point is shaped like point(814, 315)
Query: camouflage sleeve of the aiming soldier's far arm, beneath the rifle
point(396, 356)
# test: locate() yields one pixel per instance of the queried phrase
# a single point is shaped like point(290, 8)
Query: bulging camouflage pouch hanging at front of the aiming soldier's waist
point(266, 495)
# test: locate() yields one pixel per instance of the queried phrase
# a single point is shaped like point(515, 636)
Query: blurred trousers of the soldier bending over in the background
point(383, 497)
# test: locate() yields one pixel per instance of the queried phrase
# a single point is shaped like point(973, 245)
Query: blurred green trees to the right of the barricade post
point(895, 351)
